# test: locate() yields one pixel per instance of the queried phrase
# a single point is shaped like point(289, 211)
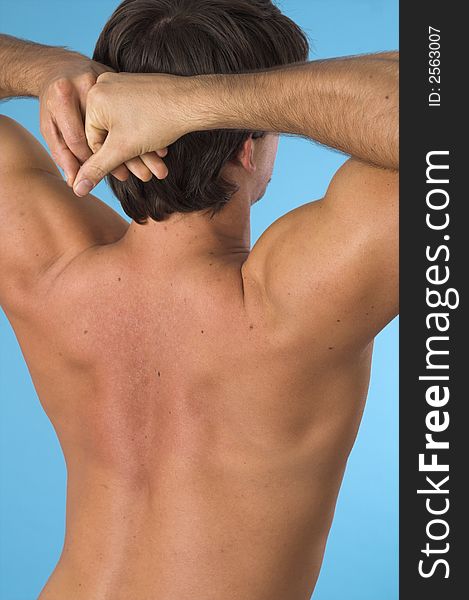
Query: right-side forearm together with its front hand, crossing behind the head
point(350, 104)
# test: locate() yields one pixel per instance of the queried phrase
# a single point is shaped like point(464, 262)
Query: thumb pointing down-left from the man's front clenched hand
point(100, 164)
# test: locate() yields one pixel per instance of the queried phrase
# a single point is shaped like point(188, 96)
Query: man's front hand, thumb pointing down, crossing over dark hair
point(130, 115)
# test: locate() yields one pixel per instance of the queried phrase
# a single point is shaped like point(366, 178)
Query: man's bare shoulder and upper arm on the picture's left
point(43, 225)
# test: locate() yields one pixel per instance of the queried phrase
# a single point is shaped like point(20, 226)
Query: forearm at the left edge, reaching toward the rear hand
point(25, 66)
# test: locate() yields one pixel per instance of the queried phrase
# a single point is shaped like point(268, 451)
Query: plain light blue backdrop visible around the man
point(361, 561)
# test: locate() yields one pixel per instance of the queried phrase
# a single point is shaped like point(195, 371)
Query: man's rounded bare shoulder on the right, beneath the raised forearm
point(334, 260)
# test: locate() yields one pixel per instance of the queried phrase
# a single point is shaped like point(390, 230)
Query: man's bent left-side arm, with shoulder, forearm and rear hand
point(41, 223)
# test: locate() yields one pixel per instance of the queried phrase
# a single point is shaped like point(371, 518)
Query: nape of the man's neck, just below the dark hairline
point(196, 234)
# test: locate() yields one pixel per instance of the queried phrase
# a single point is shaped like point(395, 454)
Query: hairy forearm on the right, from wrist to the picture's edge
point(349, 104)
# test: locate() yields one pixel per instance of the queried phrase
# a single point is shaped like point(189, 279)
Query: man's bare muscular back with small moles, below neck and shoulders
point(204, 443)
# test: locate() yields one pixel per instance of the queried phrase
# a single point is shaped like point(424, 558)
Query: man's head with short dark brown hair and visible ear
point(196, 37)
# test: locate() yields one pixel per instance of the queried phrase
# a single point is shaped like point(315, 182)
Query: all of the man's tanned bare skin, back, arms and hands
point(206, 396)
